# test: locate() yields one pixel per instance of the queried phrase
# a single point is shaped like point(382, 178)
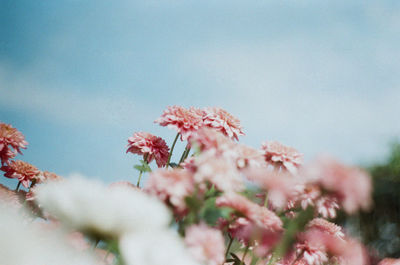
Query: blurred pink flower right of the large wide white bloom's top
point(172, 187)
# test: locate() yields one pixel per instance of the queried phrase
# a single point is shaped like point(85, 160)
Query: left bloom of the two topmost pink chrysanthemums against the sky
point(184, 121)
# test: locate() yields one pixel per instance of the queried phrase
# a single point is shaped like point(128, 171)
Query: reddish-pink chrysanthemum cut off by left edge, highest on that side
point(11, 142)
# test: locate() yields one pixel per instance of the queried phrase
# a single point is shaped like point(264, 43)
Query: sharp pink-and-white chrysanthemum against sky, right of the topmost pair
point(281, 156)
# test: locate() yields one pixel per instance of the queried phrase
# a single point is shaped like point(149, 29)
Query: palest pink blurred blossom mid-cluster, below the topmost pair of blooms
point(218, 170)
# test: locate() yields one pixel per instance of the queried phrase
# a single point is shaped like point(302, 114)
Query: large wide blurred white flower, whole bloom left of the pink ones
point(92, 207)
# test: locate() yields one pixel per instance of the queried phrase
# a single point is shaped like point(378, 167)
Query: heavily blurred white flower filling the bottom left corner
point(23, 243)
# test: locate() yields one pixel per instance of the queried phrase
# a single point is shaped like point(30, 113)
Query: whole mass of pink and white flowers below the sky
point(220, 203)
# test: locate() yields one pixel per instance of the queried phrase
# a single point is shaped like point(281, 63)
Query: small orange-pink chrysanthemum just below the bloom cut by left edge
point(22, 171)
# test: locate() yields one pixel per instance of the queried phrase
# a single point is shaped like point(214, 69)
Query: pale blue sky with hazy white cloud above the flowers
point(79, 77)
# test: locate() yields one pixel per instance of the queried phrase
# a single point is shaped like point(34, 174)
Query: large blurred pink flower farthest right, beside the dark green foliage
point(351, 186)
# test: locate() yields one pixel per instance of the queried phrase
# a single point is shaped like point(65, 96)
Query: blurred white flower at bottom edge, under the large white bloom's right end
point(164, 247)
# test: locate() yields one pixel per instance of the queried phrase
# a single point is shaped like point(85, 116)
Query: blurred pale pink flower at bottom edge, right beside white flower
point(206, 244)
